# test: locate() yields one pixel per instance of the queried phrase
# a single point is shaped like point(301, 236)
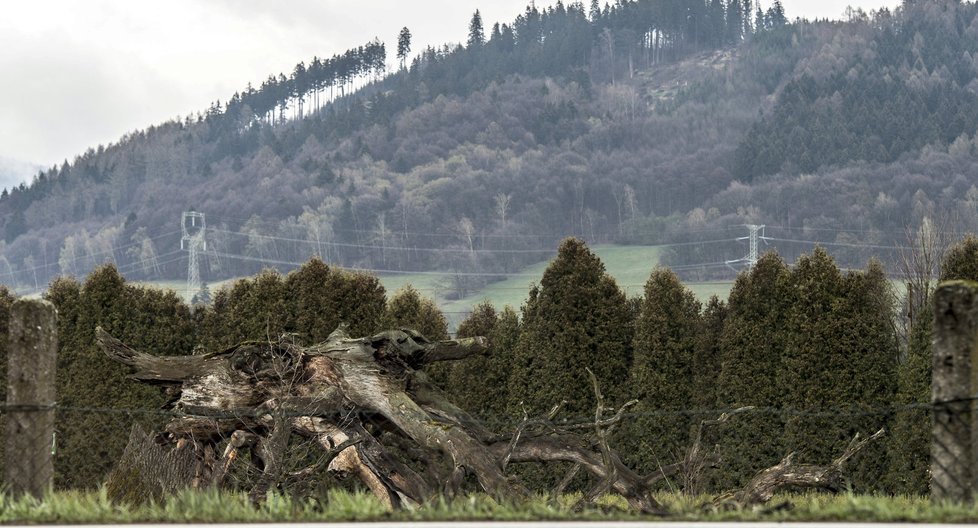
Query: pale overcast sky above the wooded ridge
point(79, 74)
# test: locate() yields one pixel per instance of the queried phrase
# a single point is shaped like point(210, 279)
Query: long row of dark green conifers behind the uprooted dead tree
point(812, 348)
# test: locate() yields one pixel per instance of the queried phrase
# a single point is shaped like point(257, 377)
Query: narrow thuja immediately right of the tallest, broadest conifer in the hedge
point(661, 376)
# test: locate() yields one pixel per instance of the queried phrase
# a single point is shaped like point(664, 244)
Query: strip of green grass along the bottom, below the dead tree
point(212, 507)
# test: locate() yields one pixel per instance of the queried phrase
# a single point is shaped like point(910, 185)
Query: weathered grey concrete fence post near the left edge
point(31, 397)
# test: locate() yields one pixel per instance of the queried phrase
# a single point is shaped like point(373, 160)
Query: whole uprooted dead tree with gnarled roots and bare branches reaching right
point(369, 405)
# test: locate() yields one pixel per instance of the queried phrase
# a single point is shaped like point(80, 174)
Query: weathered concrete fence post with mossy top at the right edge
point(954, 448)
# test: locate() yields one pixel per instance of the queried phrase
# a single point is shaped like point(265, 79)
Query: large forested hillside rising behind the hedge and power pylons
point(646, 121)
